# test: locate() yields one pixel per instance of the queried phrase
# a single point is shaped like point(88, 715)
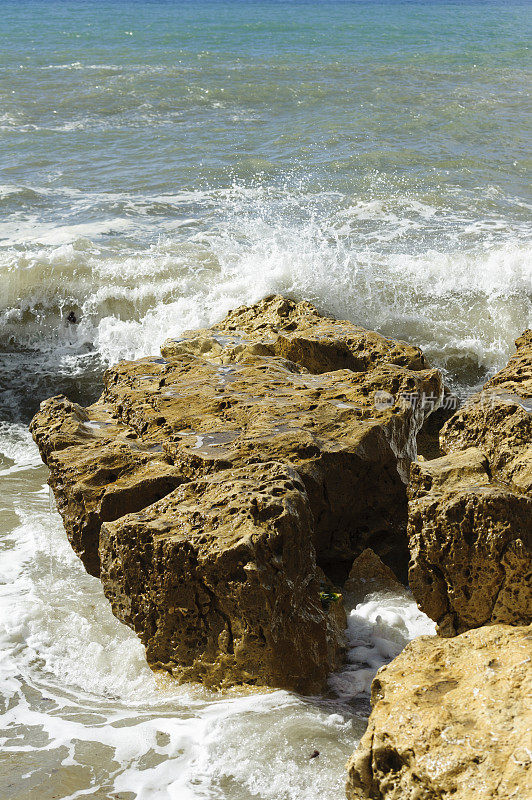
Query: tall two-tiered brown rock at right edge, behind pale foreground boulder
point(470, 511)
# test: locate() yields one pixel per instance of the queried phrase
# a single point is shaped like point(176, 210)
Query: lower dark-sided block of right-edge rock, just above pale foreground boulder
point(470, 544)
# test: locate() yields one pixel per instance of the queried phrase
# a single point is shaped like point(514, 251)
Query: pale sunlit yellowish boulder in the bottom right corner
point(450, 721)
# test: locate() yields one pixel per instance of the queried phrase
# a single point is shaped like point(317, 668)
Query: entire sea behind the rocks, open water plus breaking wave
point(165, 161)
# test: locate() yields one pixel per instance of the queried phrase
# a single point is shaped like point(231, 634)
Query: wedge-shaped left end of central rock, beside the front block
point(99, 470)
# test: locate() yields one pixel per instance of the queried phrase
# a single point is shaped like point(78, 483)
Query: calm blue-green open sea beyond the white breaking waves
point(165, 96)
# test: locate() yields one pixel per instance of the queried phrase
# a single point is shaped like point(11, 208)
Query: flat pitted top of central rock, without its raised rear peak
point(228, 412)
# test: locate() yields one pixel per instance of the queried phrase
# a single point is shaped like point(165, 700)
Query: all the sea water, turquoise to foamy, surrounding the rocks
point(160, 163)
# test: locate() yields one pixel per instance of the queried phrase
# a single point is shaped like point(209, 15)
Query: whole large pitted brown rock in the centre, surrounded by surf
point(288, 407)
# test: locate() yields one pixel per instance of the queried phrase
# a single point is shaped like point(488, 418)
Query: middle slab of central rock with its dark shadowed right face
point(351, 456)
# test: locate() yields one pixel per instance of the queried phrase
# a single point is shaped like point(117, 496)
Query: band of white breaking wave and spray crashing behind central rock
point(415, 270)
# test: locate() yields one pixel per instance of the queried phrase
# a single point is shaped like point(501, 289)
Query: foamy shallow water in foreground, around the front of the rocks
point(77, 690)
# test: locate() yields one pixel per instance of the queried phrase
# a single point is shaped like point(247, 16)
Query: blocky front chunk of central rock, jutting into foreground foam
point(219, 579)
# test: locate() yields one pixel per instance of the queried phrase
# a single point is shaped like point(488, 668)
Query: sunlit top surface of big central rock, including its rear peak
point(256, 381)
